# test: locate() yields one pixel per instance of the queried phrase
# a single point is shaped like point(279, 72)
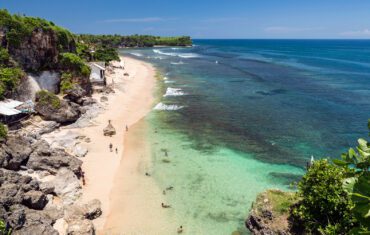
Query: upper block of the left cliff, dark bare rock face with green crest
point(33, 42)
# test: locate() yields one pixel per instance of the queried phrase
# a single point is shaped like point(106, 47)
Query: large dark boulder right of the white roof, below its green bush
point(65, 113)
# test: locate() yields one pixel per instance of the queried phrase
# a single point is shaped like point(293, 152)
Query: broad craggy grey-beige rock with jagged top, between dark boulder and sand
point(44, 158)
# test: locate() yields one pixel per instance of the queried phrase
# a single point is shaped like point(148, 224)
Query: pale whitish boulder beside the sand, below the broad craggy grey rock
point(67, 186)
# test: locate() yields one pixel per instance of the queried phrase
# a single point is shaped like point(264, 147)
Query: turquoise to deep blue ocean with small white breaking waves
point(236, 117)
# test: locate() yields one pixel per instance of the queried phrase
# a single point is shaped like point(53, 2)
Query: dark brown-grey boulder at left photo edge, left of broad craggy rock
point(14, 152)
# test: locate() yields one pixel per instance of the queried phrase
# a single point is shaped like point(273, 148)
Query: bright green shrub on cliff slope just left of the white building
point(73, 63)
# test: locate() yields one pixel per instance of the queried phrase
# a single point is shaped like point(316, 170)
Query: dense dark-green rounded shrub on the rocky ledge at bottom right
point(324, 204)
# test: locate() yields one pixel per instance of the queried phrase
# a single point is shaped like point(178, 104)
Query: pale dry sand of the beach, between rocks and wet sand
point(132, 100)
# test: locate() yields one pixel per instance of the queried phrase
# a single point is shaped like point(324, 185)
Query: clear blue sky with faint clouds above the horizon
point(294, 19)
